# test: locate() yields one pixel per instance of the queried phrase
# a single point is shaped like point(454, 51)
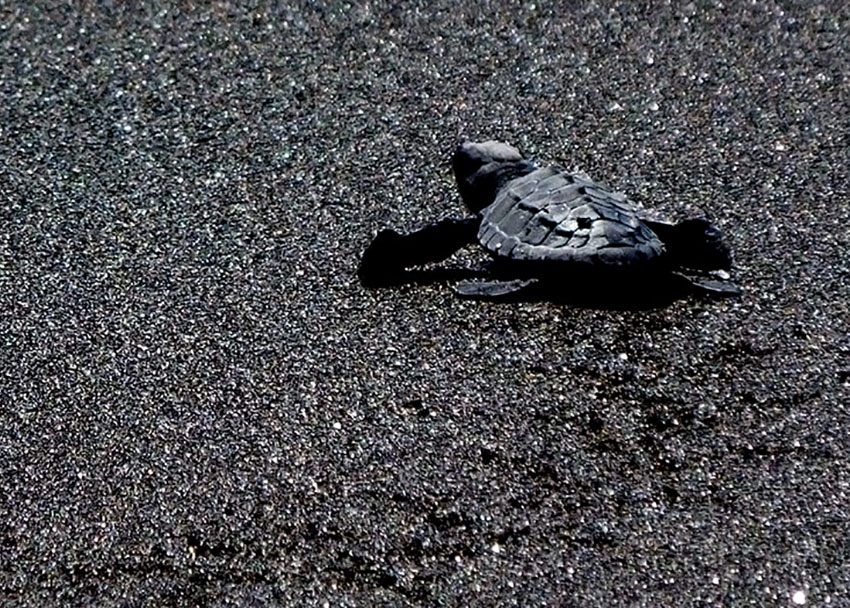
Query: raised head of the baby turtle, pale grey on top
point(481, 169)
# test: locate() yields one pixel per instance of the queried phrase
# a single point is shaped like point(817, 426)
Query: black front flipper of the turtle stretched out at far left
point(390, 252)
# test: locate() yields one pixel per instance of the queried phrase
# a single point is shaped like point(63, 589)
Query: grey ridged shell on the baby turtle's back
point(553, 215)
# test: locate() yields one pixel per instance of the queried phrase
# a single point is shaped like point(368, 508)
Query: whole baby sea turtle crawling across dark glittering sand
point(552, 230)
